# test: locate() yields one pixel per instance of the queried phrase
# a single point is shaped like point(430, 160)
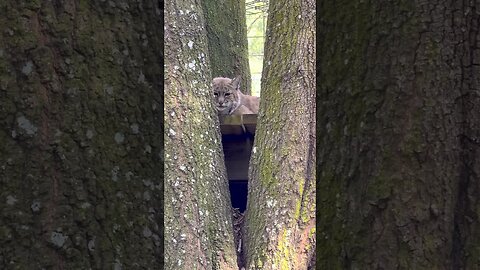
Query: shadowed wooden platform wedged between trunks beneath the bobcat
point(238, 132)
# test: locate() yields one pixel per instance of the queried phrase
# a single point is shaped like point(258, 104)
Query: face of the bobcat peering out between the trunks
point(225, 94)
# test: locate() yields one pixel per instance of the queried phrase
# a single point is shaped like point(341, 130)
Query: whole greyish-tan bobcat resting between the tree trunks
point(230, 100)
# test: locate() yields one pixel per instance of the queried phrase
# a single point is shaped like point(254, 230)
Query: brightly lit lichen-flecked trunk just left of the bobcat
point(198, 213)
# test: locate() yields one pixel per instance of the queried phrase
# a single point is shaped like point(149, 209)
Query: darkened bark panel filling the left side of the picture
point(80, 136)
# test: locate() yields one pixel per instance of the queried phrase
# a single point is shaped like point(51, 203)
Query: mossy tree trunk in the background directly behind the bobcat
point(227, 40)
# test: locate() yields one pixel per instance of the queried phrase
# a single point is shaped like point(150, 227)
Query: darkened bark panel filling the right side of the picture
point(398, 131)
